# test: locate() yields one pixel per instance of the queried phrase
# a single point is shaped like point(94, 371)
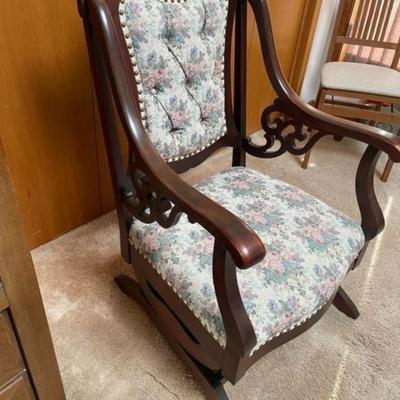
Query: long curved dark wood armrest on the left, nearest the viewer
point(240, 241)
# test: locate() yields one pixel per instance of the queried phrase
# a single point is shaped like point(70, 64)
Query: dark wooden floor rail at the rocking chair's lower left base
point(210, 382)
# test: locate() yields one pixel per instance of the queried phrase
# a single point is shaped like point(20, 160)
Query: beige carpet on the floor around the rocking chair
point(109, 349)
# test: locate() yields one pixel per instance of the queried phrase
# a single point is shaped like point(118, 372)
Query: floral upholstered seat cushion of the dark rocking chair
point(309, 248)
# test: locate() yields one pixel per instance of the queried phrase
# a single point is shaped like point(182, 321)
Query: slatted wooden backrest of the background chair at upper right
point(366, 23)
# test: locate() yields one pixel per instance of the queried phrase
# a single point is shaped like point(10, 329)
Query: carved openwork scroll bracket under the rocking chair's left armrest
point(148, 204)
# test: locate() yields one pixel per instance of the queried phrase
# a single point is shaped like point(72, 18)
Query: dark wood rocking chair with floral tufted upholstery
point(240, 264)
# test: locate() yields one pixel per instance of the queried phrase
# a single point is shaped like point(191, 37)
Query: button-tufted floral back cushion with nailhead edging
point(177, 53)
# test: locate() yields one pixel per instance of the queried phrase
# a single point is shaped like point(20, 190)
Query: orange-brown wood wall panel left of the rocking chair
point(46, 114)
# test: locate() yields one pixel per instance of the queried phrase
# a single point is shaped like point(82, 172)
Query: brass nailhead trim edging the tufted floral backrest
point(138, 79)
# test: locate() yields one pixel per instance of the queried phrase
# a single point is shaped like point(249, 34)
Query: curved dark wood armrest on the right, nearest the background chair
point(300, 110)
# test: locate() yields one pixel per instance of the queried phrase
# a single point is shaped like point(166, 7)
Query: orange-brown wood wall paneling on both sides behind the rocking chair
point(49, 127)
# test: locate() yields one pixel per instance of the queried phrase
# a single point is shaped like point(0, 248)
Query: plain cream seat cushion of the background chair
point(365, 78)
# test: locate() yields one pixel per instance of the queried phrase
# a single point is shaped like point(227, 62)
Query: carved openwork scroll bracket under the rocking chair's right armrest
point(282, 133)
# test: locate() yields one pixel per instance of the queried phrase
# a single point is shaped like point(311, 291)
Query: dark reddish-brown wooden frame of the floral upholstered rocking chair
point(152, 191)
